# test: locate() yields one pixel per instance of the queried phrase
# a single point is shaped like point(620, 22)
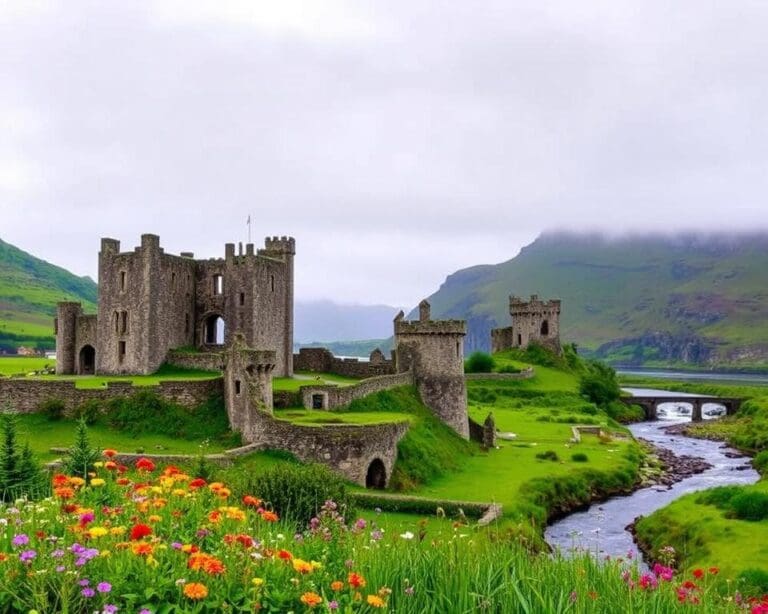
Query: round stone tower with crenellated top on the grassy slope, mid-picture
point(434, 350)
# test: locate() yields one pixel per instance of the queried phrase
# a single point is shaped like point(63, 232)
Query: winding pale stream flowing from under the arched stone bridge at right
point(600, 529)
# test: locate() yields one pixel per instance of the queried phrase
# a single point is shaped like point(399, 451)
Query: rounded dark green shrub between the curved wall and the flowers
point(297, 492)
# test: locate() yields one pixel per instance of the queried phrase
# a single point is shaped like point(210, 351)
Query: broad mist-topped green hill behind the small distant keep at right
point(654, 299)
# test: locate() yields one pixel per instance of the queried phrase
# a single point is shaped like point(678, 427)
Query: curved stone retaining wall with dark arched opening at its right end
point(348, 449)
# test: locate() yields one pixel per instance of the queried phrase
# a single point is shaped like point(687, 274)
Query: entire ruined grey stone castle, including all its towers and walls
point(235, 315)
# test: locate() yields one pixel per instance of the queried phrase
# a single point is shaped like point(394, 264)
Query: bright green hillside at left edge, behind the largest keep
point(29, 291)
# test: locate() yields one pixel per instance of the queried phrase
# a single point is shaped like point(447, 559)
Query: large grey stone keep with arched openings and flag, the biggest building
point(151, 302)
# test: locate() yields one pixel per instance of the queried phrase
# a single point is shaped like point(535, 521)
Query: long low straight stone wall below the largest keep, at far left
point(25, 395)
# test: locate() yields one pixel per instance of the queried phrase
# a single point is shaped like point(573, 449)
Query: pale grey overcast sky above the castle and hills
point(397, 141)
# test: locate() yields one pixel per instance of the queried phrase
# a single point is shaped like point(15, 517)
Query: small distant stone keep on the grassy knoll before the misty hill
point(534, 321)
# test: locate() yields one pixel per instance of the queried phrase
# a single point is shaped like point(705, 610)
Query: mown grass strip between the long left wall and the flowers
point(43, 434)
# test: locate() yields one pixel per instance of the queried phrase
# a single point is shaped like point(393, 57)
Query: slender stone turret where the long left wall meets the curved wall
point(247, 385)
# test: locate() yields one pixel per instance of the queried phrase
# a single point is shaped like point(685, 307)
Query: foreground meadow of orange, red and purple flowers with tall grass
point(151, 539)
